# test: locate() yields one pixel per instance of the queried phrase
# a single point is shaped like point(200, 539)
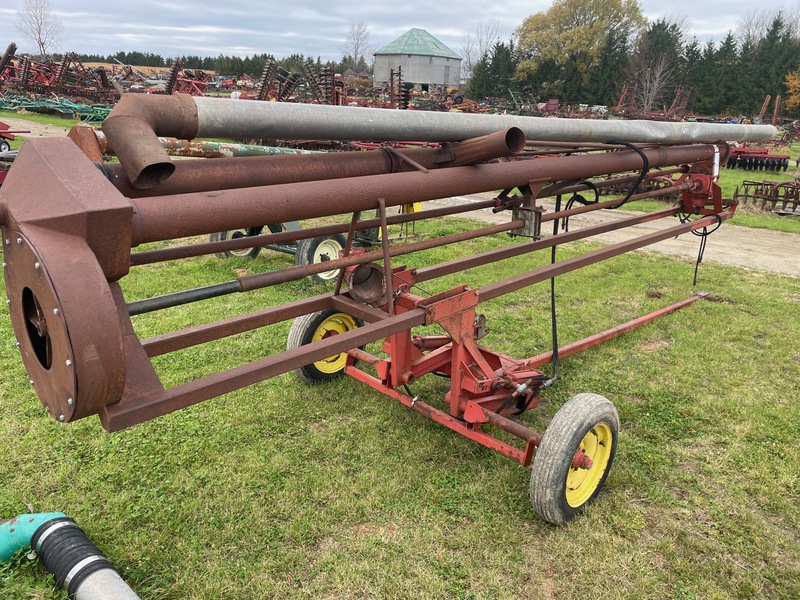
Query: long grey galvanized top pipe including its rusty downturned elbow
point(137, 120)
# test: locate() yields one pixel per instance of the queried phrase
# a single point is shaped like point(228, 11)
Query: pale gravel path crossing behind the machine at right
point(758, 249)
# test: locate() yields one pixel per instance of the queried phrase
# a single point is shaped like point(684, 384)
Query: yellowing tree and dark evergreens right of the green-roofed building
point(591, 51)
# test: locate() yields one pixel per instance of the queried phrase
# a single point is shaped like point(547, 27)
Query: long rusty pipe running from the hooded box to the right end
point(200, 213)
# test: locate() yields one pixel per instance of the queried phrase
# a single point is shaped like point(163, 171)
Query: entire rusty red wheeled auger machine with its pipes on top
point(66, 253)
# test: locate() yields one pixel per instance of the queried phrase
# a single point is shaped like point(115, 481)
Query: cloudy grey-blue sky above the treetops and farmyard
point(312, 28)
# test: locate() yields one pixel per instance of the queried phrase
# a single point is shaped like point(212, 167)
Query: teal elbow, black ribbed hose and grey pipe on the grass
point(76, 563)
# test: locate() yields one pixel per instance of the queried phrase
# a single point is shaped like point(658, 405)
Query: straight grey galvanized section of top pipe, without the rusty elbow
point(231, 118)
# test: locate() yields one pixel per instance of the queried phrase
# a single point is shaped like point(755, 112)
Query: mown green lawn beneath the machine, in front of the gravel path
point(335, 491)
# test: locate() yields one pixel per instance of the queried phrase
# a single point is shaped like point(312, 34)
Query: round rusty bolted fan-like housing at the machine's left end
point(66, 321)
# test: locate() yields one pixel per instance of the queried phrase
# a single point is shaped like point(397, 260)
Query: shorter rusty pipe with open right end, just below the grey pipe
point(232, 173)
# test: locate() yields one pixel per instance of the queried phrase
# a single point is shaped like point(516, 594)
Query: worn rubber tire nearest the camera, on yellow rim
point(582, 414)
